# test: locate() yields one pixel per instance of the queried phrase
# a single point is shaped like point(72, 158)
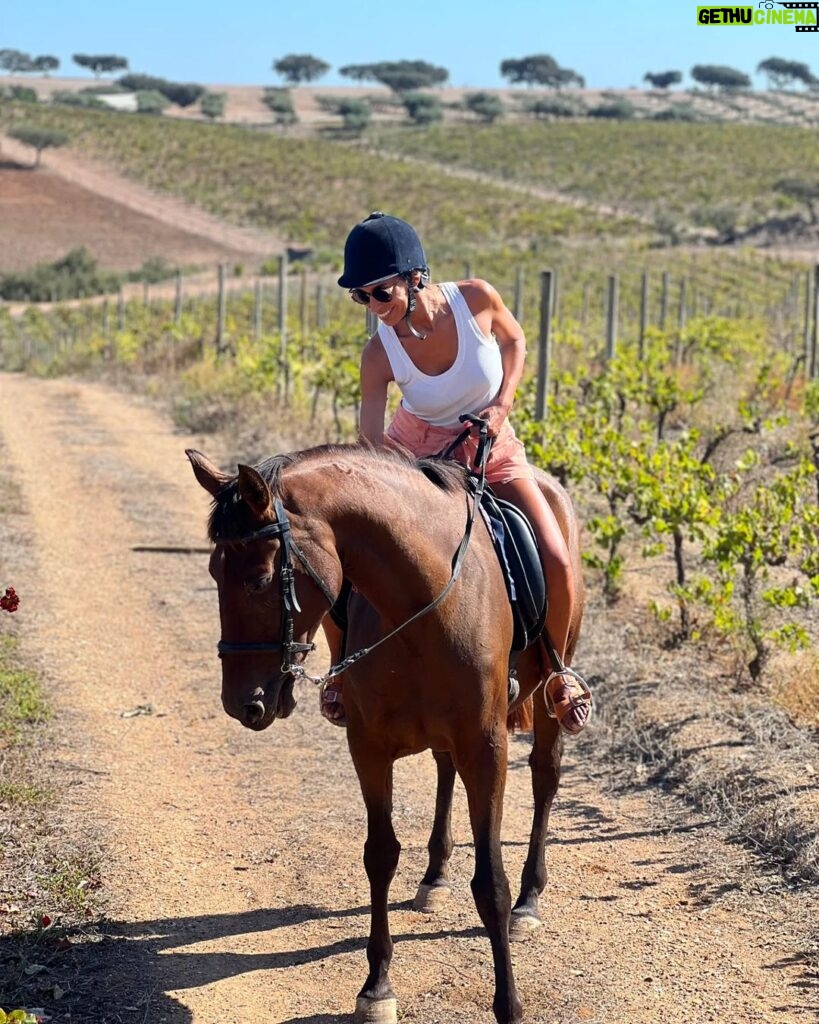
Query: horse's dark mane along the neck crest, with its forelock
point(231, 520)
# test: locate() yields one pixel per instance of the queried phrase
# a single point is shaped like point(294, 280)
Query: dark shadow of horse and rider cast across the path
point(125, 973)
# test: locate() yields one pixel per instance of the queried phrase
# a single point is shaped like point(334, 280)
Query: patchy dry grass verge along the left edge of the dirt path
point(49, 874)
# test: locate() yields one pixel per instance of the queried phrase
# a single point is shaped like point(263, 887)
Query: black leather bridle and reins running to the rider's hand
point(281, 529)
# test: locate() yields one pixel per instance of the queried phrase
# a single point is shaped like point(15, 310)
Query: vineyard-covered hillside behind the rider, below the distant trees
point(581, 195)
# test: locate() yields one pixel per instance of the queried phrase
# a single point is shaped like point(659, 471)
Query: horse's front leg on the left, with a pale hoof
point(376, 1003)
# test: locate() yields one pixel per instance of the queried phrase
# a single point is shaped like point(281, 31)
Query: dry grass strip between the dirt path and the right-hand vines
point(675, 720)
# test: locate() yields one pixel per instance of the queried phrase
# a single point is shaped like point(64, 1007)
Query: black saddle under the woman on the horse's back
point(518, 552)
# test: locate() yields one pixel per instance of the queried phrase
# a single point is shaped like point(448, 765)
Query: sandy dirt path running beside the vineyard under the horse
point(234, 861)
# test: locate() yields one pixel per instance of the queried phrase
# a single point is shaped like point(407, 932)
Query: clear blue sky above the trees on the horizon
point(610, 44)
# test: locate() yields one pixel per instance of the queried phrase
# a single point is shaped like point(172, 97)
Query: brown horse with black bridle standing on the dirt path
point(286, 534)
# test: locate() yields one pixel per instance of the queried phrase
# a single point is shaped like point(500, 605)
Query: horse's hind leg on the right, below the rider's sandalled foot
point(545, 763)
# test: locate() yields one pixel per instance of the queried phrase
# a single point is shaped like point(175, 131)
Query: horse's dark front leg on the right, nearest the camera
point(484, 773)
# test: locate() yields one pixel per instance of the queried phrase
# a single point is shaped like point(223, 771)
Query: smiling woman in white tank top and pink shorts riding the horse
point(453, 349)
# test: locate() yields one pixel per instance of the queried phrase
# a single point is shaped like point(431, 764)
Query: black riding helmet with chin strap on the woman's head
point(384, 247)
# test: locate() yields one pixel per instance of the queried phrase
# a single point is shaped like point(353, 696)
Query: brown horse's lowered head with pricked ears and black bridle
point(274, 590)
